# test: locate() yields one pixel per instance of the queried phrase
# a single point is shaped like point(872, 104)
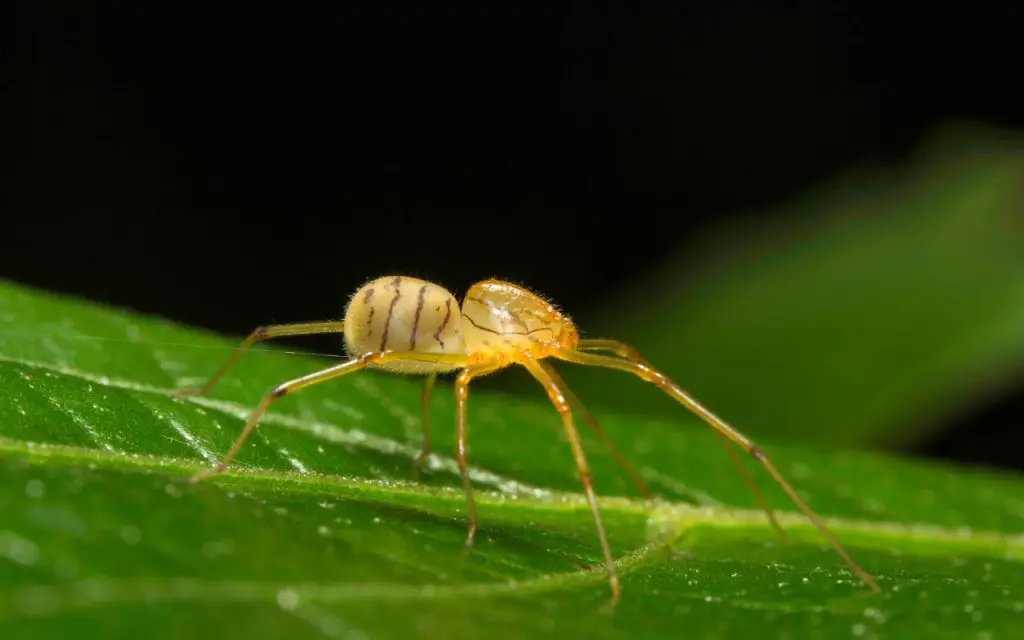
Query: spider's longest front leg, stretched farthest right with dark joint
point(650, 374)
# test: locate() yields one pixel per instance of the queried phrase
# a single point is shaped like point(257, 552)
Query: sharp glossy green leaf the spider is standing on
point(322, 529)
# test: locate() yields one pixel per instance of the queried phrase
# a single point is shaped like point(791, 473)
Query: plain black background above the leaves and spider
point(235, 167)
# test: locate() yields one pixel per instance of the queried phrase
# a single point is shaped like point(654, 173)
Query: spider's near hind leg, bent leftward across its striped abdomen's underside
point(318, 377)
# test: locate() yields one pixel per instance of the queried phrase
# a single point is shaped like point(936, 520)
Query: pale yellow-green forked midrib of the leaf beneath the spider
point(674, 520)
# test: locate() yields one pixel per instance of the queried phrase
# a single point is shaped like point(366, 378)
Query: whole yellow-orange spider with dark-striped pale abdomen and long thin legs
point(410, 326)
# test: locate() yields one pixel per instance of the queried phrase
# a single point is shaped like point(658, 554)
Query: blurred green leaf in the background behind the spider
point(865, 314)
